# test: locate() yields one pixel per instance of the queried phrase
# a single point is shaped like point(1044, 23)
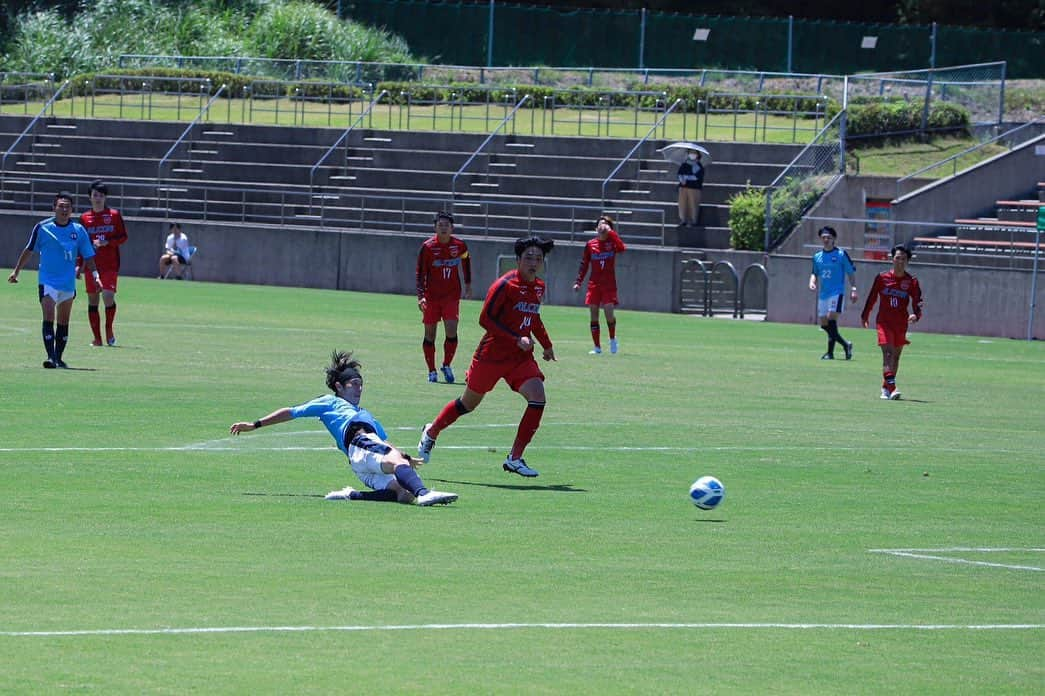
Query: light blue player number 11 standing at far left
point(59, 241)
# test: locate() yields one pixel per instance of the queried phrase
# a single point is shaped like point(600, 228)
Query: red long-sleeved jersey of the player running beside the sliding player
point(512, 311)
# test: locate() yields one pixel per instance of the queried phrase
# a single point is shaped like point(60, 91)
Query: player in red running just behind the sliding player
point(512, 317)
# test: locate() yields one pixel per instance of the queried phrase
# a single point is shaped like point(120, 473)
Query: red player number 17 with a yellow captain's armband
point(442, 264)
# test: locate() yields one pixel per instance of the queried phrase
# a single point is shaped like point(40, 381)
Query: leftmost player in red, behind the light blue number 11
point(106, 228)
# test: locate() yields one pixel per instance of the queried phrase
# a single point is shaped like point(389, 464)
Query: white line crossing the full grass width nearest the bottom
point(513, 627)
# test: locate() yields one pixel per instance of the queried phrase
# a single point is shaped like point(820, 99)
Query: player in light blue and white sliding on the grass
point(386, 470)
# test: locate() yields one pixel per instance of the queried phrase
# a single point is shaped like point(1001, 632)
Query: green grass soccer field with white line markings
point(143, 550)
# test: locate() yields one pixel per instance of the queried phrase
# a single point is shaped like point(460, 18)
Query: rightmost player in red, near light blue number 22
point(899, 299)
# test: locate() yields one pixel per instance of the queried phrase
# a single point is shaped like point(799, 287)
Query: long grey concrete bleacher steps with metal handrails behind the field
point(388, 180)
